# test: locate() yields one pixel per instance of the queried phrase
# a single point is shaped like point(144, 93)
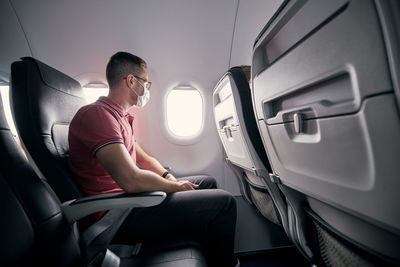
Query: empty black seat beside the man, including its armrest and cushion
point(37, 230)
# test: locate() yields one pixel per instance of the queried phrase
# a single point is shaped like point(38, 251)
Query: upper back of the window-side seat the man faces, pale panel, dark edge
point(235, 121)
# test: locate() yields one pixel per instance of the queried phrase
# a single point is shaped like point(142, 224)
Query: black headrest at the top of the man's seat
point(56, 79)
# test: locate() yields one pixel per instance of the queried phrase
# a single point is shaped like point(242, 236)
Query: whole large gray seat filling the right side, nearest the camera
point(325, 89)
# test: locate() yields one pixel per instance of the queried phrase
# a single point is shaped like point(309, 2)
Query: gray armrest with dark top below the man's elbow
point(78, 208)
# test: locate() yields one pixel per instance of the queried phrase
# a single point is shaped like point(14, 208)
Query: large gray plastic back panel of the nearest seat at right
point(326, 107)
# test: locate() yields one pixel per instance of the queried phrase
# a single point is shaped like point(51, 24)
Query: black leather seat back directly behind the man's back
point(44, 102)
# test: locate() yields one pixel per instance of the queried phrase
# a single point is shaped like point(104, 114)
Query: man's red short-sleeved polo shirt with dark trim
point(93, 127)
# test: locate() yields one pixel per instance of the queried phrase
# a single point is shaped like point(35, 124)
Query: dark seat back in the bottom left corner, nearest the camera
point(33, 229)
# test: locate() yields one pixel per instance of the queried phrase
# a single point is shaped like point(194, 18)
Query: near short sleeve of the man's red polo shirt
point(98, 128)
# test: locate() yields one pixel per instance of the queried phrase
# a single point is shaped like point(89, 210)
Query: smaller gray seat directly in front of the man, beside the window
point(237, 129)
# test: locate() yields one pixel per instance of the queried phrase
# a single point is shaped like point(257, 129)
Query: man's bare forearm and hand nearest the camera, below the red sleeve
point(117, 161)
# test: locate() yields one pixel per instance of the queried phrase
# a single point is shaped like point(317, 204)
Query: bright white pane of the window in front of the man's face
point(184, 111)
